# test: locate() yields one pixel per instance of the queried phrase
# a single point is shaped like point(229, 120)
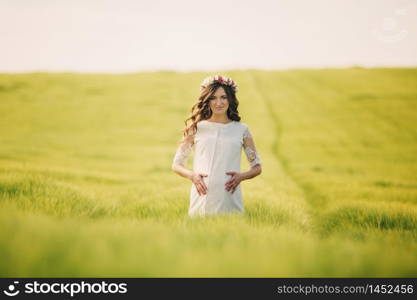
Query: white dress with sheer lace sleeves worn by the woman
point(217, 150)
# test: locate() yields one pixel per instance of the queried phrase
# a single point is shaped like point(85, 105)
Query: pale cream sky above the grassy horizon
point(123, 36)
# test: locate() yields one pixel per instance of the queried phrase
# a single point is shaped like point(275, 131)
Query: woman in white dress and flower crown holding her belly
point(217, 136)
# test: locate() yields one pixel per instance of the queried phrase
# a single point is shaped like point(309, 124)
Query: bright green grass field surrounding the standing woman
point(86, 186)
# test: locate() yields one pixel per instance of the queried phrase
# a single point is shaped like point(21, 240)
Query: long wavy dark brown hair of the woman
point(202, 111)
